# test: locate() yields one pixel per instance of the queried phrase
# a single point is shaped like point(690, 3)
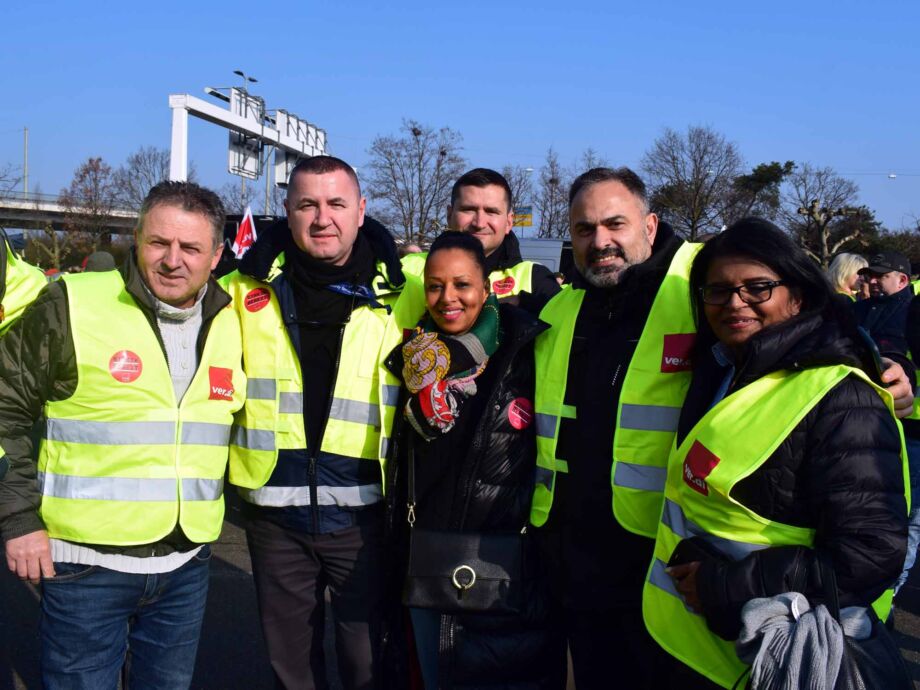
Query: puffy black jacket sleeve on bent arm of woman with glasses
point(852, 483)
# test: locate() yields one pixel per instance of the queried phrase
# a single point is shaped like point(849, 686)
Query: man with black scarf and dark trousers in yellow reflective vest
point(314, 297)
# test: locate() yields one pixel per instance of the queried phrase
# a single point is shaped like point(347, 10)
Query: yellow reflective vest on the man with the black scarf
point(272, 418)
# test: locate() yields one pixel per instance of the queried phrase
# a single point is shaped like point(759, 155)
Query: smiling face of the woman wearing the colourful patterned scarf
point(455, 290)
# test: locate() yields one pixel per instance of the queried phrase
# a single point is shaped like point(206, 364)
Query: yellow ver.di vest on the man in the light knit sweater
point(121, 461)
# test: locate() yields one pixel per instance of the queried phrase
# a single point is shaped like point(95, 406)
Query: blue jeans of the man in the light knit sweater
point(94, 621)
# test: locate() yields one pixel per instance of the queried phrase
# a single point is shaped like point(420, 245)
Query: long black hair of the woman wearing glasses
point(761, 241)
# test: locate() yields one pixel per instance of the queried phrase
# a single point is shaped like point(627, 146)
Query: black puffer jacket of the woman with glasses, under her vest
point(839, 471)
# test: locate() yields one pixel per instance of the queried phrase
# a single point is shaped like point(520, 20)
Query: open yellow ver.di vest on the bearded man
point(653, 391)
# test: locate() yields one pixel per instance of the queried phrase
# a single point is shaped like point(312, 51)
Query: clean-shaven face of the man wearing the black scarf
point(324, 213)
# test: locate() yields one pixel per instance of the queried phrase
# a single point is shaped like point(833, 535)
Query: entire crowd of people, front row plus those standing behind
point(642, 469)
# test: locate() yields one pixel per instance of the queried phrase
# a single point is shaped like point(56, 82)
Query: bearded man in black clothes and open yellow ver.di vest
point(612, 373)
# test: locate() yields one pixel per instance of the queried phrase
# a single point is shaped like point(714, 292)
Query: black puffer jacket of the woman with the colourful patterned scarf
point(478, 481)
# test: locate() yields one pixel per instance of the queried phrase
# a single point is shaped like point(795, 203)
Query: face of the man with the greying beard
point(611, 231)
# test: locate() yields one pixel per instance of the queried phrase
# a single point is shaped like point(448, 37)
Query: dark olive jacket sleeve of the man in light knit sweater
point(37, 364)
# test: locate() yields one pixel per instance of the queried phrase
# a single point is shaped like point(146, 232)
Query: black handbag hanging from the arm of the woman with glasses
point(874, 662)
